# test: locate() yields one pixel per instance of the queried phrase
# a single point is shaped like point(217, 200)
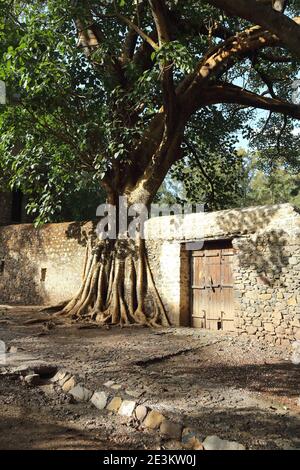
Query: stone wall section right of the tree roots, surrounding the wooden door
point(266, 266)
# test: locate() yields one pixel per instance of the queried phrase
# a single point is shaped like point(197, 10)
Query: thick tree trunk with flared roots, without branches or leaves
point(118, 285)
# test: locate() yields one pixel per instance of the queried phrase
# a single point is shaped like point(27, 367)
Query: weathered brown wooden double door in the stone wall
point(212, 286)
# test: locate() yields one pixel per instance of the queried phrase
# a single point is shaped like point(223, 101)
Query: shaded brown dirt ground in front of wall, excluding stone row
point(221, 384)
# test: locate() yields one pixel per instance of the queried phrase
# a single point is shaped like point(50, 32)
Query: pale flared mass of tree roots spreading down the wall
point(117, 280)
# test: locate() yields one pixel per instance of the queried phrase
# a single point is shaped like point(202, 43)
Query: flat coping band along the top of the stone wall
point(196, 226)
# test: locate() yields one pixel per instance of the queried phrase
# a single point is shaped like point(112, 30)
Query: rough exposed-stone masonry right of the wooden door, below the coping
point(267, 286)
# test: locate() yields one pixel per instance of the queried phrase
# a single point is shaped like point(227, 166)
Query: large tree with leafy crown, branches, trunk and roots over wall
point(110, 89)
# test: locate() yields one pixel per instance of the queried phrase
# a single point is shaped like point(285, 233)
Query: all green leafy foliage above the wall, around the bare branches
point(70, 119)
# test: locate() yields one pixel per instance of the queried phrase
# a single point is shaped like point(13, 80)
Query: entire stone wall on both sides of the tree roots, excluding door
point(45, 265)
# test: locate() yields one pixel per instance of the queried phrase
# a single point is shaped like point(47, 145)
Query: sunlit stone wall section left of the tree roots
point(41, 266)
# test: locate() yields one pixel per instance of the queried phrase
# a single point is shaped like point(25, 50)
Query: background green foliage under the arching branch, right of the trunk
point(213, 171)
